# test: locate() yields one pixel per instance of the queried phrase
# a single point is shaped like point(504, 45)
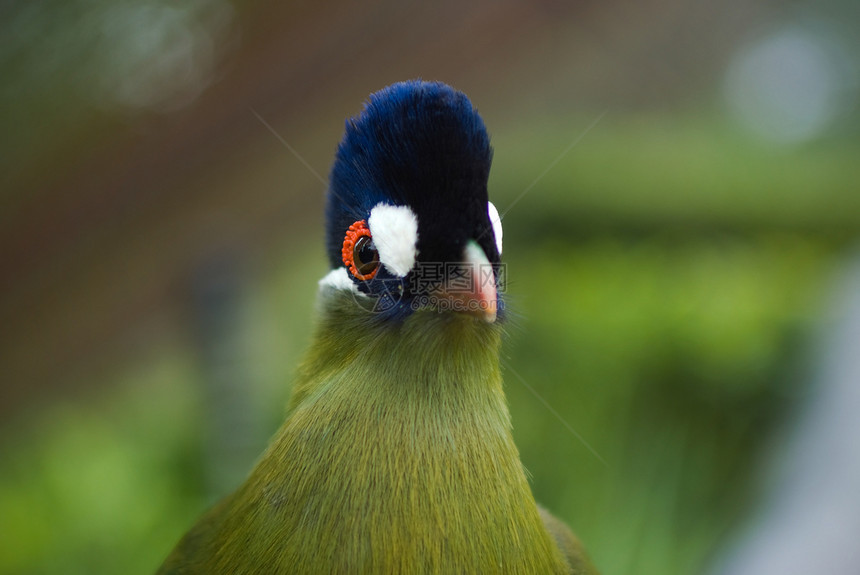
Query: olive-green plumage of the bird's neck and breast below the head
point(396, 457)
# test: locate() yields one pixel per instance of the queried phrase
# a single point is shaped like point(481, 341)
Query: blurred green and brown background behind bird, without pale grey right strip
point(682, 179)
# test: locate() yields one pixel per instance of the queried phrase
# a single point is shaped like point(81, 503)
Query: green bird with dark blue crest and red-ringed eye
point(396, 454)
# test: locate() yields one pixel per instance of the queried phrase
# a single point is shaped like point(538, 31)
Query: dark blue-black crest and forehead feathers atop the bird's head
point(420, 144)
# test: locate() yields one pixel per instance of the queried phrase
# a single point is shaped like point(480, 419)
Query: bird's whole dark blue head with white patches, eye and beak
point(409, 222)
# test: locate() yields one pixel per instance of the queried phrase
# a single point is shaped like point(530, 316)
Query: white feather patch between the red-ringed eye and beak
point(395, 235)
